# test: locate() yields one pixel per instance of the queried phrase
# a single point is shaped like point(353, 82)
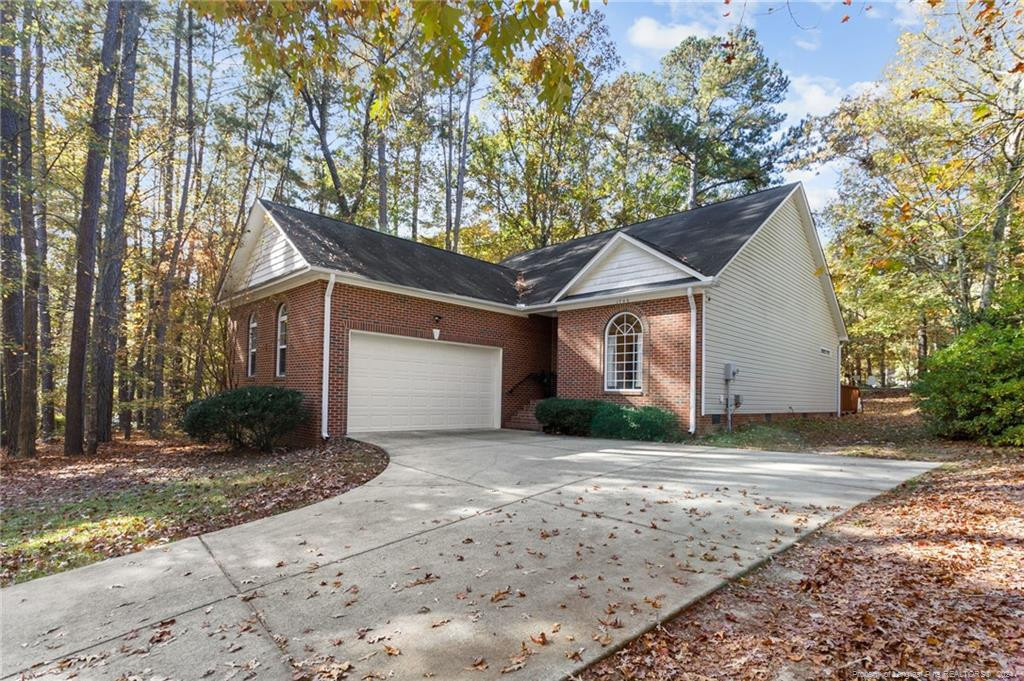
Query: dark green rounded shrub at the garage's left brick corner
point(255, 417)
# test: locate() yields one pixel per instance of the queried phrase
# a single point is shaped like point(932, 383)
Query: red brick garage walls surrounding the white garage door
point(526, 343)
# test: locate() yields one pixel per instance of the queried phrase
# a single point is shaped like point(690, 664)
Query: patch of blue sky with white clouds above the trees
point(824, 58)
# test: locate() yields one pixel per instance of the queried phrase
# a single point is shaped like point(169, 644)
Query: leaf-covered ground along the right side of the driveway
point(926, 579)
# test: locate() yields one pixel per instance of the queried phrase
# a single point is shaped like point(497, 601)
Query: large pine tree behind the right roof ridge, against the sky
point(714, 113)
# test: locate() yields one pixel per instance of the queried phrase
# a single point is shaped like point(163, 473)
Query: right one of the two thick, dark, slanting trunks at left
point(108, 312)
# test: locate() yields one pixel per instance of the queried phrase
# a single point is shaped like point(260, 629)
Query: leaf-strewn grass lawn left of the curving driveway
point(58, 514)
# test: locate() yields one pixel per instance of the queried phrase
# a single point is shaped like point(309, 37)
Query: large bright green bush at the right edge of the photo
point(974, 389)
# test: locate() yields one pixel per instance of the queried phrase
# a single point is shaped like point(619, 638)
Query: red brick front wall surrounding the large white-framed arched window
point(667, 355)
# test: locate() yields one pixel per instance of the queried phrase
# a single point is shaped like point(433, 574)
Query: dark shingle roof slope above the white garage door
point(328, 243)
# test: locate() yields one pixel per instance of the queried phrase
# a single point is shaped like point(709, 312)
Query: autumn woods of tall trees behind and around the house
point(136, 138)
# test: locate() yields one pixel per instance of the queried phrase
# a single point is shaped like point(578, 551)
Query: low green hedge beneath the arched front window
point(601, 419)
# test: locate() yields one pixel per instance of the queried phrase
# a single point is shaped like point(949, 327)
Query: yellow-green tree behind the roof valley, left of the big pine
point(532, 171)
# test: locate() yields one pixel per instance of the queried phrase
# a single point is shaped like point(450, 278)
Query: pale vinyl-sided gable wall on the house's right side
point(771, 313)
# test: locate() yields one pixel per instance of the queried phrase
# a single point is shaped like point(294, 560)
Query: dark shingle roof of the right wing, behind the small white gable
point(705, 239)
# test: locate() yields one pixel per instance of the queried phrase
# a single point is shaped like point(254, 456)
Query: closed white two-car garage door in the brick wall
point(398, 384)
